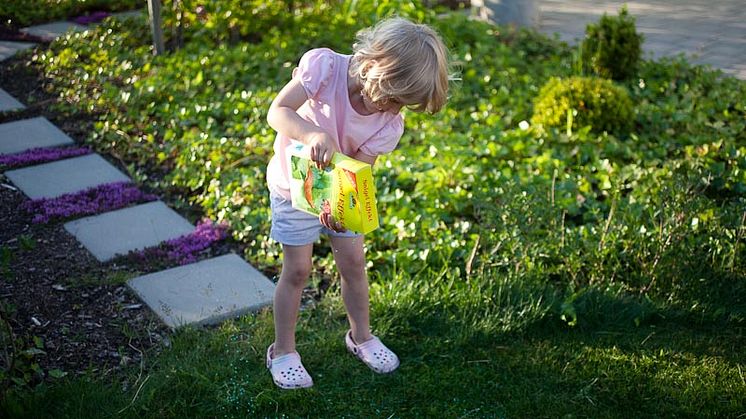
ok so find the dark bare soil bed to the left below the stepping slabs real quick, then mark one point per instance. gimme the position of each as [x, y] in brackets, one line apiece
[66, 304]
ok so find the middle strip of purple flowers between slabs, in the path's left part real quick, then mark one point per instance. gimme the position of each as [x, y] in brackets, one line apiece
[102, 198]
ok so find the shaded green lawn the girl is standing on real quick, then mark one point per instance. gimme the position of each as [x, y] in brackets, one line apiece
[453, 366]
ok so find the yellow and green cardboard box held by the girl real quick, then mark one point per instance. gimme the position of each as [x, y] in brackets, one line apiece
[345, 188]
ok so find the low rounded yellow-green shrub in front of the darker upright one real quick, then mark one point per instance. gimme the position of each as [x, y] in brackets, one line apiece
[583, 101]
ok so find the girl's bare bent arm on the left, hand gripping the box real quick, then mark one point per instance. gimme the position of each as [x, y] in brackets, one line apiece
[283, 118]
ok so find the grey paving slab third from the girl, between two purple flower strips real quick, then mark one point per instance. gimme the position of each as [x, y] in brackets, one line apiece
[57, 178]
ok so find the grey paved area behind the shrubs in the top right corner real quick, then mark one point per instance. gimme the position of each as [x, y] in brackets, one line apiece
[712, 32]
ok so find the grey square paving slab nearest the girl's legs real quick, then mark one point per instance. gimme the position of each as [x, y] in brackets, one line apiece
[206, 292]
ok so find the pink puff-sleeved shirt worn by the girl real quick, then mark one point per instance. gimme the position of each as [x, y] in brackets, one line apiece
[323, 74]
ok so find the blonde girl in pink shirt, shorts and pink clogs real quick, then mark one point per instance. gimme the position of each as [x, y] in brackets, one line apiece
[348, 104]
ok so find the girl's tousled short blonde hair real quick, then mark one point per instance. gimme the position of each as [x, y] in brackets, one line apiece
[402, 61]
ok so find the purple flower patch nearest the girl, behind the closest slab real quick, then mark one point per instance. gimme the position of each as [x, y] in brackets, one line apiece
[185, 249]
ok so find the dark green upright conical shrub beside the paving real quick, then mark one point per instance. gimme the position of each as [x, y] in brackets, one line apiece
[612, 47]
